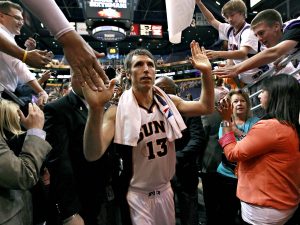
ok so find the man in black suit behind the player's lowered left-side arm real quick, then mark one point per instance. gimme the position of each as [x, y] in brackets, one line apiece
[80, 191]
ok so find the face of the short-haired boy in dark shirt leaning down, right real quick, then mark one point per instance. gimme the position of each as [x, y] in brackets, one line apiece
[267, 35]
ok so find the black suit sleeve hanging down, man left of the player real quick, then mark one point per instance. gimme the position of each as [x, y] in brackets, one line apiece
[63, 184]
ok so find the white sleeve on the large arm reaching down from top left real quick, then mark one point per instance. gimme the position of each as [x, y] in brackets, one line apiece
[50, 15]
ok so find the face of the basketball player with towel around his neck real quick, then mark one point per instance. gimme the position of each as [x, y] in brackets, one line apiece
[142, 72]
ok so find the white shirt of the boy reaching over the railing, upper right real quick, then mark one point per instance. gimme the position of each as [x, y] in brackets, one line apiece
[244, 38]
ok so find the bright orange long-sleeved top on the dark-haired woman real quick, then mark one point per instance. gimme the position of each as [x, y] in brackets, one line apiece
[269, 165]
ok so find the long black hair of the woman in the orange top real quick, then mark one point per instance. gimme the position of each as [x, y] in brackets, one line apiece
[283, 99]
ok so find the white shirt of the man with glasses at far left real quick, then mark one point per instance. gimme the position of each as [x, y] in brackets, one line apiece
[12, 70]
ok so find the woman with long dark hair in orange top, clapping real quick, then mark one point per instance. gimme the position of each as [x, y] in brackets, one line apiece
[268, 157]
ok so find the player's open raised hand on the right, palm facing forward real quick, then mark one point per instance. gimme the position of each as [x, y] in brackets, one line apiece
[199, 59]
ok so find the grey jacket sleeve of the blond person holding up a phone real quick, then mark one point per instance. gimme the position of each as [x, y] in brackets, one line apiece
[22, 172]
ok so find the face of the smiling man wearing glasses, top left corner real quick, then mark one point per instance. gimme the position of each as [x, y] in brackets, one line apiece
[13, 21]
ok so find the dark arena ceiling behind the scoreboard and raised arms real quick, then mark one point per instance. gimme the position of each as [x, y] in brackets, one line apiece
[147, 12]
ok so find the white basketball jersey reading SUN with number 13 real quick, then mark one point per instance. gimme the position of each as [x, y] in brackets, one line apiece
[154, 157]
